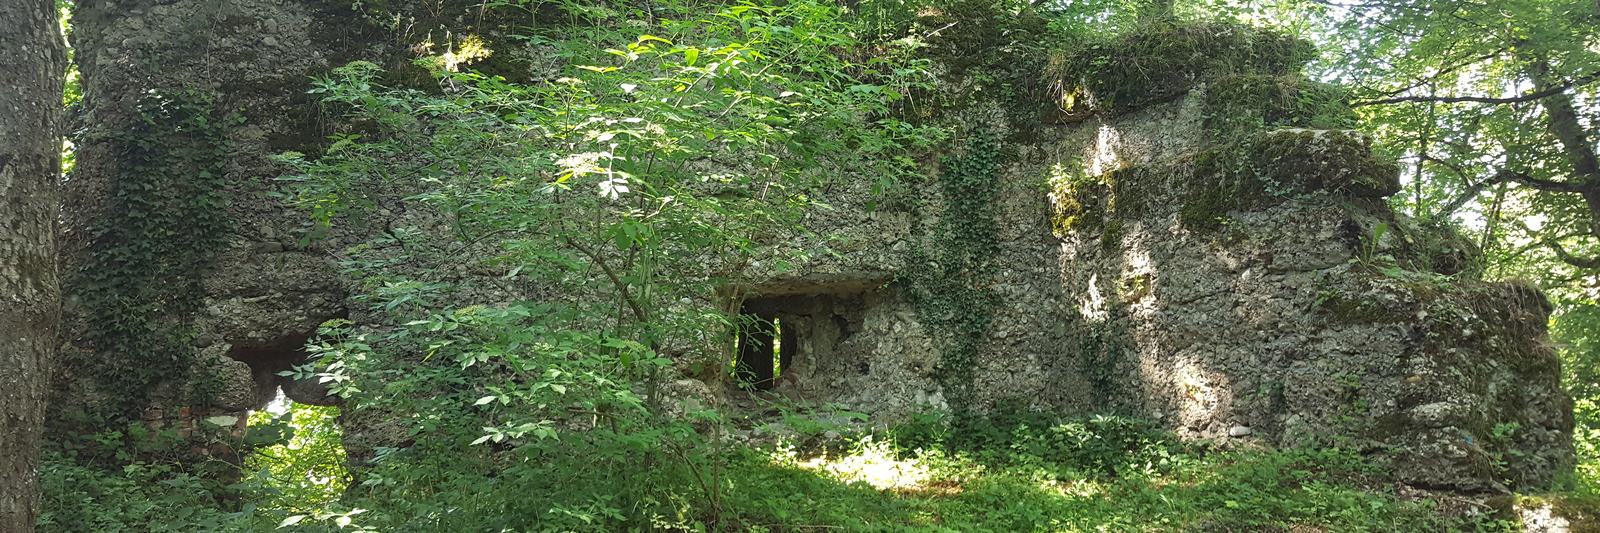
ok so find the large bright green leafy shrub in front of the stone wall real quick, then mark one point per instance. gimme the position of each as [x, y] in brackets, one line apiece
[620, 206]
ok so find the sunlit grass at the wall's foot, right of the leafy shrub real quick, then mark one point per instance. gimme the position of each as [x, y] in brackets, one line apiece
[1018, 486]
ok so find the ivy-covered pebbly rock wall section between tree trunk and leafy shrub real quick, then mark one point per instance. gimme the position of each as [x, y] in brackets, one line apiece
[188, 281]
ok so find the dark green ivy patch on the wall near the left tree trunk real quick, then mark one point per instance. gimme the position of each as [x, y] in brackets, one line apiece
[143, 271]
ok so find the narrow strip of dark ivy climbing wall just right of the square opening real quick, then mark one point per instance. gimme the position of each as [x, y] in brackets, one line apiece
[950, 284]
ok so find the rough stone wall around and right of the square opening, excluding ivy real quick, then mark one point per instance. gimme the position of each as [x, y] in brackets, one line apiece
[1274, 321]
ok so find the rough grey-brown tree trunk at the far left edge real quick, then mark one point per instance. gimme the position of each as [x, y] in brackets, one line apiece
[33, 58]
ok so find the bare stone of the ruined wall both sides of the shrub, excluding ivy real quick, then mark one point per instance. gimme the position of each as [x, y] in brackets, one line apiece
[1230, 287]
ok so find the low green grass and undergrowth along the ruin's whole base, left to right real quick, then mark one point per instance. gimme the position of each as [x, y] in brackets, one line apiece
[1010, 471]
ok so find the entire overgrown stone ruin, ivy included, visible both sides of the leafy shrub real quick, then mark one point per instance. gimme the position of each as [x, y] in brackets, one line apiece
[1209, 249]
